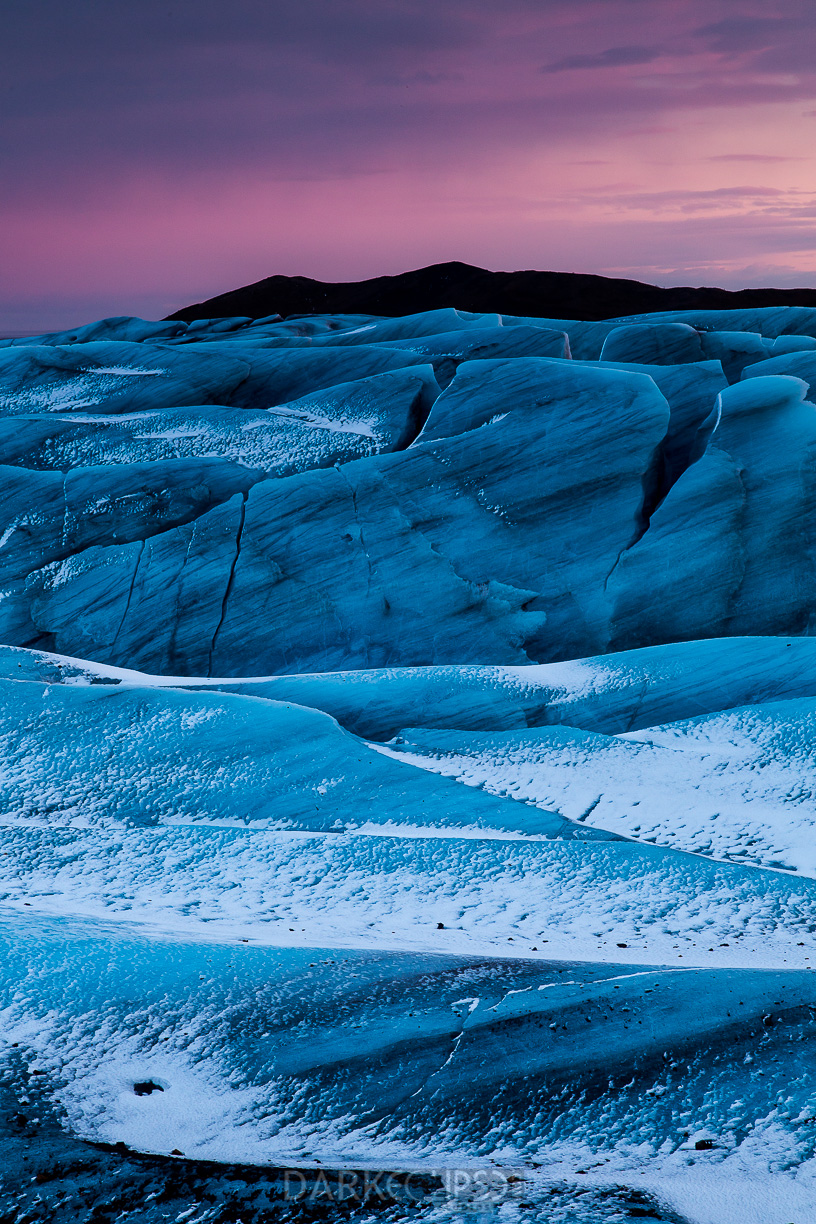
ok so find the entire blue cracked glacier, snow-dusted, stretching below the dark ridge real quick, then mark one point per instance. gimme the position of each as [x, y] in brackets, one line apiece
[409, 769]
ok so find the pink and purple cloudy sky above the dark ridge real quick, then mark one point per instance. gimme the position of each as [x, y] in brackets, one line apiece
[161, 154]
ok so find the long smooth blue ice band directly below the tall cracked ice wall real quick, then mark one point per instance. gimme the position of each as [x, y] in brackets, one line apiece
[612, 693]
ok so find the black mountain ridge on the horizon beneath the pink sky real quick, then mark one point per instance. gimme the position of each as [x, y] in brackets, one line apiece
[541, 294]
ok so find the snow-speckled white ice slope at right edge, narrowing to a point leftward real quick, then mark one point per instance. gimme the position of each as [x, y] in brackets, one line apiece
[740, 785]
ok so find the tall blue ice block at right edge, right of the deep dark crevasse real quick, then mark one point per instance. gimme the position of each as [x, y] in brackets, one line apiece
[732, 543]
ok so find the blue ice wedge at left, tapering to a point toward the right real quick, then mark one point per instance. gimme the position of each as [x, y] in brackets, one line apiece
[92, 756]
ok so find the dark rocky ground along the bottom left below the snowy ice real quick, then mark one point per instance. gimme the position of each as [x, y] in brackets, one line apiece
[47, 1177]
